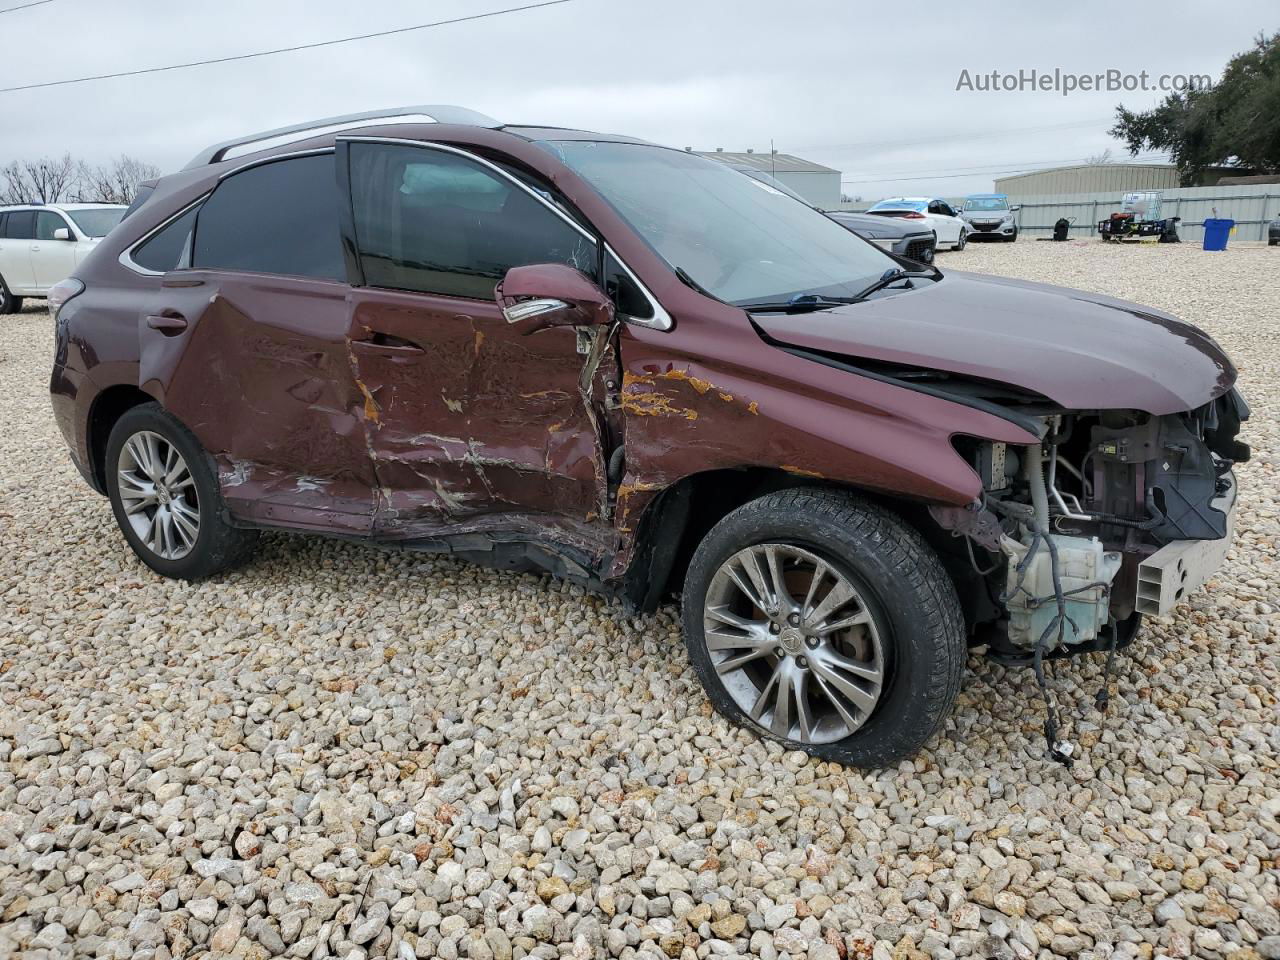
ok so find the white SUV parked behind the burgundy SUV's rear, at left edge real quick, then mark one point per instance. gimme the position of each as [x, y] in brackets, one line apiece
[42, 244]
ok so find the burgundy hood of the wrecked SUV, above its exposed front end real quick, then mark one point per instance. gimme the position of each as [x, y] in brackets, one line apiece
[1082, 351]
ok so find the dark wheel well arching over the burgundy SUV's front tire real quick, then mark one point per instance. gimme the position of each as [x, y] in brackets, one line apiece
[684, 514]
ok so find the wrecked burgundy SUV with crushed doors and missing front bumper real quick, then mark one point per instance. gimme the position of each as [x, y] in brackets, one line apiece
[633, 367]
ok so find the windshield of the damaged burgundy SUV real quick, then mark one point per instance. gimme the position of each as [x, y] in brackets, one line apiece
[738, 239]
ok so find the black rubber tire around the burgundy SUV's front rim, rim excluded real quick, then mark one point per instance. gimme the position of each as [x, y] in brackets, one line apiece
[906, 588]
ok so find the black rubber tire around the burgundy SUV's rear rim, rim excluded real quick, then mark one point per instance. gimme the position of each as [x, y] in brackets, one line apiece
[218, 546]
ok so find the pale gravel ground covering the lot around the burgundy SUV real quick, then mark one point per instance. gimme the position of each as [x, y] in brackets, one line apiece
[353, 753]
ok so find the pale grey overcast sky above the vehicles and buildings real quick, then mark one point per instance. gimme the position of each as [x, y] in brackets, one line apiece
[868, 89]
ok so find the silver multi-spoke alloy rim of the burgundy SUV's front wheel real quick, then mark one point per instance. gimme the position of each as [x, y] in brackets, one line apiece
[794, 643]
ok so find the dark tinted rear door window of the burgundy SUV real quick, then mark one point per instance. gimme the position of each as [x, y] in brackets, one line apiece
[278, 218]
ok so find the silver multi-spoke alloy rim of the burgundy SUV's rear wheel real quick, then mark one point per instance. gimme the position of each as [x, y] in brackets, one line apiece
[158, 495]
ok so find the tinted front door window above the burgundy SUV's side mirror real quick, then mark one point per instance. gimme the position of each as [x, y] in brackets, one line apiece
[438, 223]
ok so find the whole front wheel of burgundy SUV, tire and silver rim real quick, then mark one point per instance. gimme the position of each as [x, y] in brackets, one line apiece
[825, 623]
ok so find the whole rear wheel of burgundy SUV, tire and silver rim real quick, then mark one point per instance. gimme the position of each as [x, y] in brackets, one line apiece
[164, 493]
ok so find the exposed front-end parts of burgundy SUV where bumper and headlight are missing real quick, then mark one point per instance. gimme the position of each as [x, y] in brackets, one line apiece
[1113, 515]
